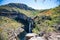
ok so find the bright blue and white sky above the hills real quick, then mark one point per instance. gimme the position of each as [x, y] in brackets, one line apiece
[40, 4]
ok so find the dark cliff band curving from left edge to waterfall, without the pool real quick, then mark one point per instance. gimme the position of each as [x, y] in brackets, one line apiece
[20, 17]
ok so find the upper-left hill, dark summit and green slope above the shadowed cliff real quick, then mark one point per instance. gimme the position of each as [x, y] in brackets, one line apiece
[18, 7]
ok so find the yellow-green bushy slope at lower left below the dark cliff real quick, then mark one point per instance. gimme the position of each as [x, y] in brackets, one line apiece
[8, 27]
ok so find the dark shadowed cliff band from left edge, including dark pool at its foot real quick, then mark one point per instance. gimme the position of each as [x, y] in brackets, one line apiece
[22, 18]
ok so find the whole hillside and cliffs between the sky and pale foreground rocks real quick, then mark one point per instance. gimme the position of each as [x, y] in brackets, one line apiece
[14, 16]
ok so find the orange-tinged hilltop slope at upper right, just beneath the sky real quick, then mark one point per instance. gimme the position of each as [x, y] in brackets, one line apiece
[51, 11]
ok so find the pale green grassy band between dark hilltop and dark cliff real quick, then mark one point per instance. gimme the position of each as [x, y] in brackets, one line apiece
[28, 13]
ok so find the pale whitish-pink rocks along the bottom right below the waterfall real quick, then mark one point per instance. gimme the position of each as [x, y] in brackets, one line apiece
[47, 36]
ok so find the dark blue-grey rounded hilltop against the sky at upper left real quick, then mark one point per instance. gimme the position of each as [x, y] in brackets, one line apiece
[19, 5]
